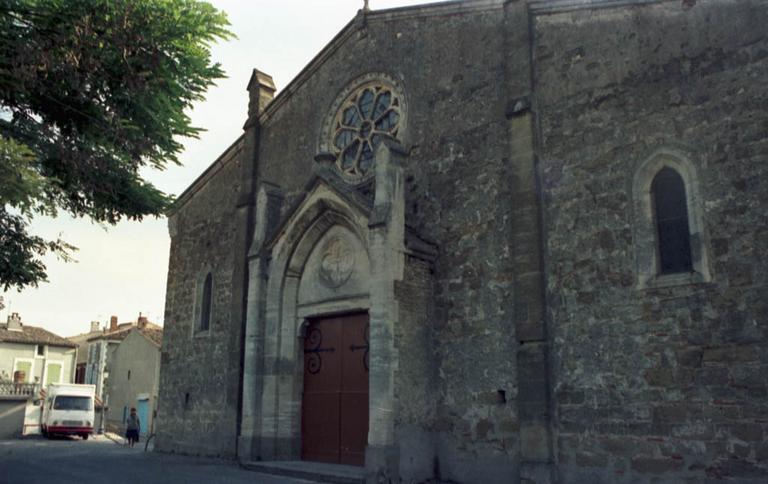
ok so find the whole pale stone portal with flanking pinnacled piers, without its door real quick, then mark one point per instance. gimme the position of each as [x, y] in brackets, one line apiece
[336, 253]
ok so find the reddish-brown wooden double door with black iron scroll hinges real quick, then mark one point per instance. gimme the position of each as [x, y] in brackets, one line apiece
[334, 416]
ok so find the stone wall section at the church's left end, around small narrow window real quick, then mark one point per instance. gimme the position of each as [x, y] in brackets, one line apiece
[200, 371]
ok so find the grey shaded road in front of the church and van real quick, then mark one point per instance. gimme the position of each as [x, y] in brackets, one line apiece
[71, 460]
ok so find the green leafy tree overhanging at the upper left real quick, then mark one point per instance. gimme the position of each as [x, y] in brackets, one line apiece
[90, 92]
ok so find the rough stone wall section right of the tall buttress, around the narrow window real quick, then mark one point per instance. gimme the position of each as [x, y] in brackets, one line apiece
[662, 384]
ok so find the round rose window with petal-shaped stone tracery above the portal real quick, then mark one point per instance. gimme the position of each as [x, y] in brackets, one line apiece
[371, 114]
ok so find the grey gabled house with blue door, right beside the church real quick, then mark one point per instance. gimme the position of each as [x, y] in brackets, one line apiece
[134, 375]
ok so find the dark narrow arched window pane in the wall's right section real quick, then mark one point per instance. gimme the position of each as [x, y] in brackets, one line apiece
[671, 216]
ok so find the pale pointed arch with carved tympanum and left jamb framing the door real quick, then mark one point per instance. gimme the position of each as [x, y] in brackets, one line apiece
[319, 268]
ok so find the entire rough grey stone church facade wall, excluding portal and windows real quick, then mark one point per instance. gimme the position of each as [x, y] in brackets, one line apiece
[651, 382]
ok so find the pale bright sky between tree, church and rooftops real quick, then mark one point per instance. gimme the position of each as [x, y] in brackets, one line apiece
[121, 270]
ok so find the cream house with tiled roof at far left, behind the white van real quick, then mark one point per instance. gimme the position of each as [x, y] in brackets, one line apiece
[30, 359]
